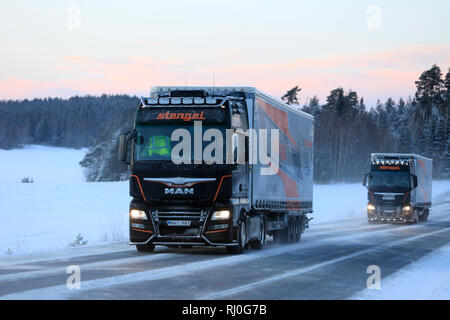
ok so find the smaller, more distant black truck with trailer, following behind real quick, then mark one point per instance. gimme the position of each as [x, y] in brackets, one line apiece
[399, 188]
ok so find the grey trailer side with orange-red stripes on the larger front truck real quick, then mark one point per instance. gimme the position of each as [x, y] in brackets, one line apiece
[292, 184]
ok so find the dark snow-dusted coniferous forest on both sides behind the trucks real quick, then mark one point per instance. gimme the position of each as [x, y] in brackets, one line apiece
[346, 129]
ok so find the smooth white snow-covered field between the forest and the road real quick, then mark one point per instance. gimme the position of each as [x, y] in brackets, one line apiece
[49, 213]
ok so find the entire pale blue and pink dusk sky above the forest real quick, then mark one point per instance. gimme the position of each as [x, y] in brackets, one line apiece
[128, 46]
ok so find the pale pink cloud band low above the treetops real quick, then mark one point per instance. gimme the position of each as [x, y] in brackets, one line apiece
[374, 74]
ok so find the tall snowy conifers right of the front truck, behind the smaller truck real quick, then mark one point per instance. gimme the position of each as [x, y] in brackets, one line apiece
[347, 132]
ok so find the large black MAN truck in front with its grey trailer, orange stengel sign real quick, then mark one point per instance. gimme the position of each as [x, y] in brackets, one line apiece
[217, 166]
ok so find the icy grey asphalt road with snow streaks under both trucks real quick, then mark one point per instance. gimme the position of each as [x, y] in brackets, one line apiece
[329, 263]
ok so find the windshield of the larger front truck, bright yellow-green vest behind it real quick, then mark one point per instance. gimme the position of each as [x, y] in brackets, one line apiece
[153, 141]
